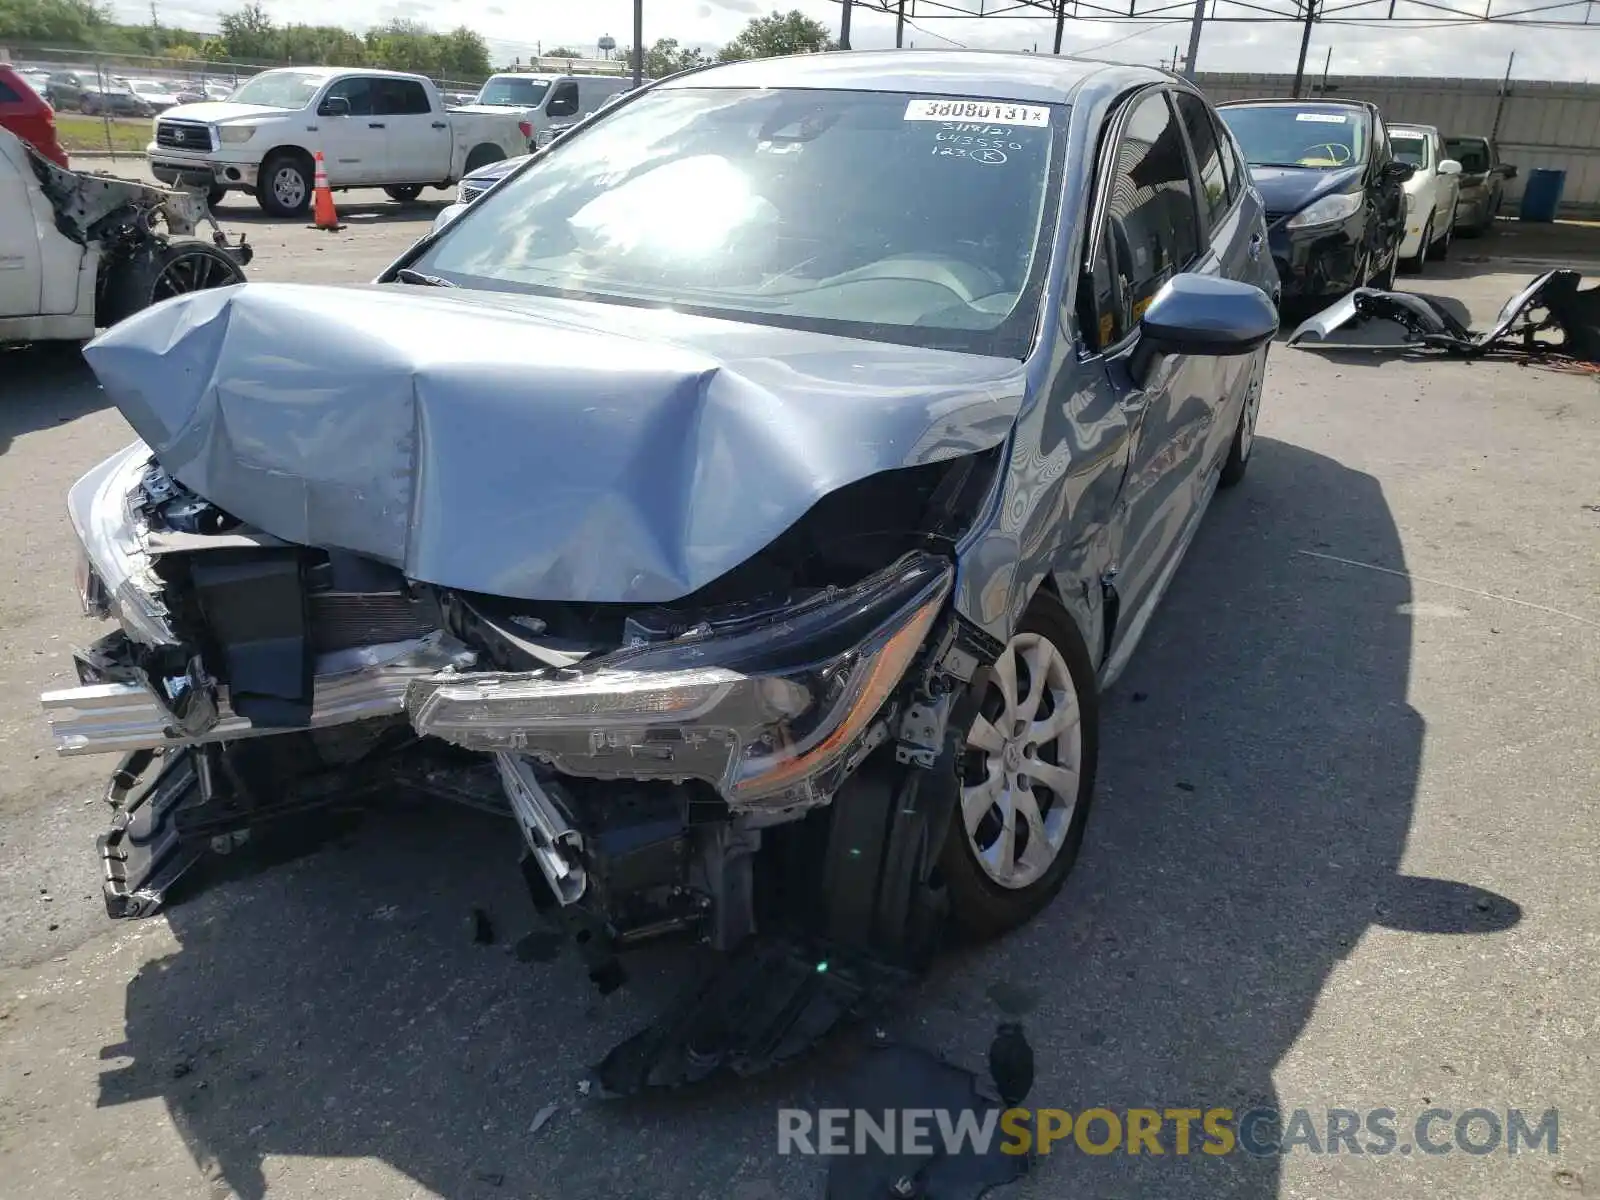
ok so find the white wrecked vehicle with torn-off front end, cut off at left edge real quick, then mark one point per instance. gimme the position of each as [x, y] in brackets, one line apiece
[81, 252]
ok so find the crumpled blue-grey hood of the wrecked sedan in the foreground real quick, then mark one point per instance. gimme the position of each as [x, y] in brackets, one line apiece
[527, 447]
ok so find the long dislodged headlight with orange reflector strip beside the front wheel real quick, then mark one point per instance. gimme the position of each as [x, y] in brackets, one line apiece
[774, 713]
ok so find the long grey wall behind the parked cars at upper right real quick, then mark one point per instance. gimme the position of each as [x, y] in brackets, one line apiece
[1540, 124]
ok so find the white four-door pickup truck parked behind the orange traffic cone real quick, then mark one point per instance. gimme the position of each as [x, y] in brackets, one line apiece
[375, 129]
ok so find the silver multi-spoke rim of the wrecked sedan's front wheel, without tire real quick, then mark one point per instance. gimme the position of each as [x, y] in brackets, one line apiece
[1025, 756]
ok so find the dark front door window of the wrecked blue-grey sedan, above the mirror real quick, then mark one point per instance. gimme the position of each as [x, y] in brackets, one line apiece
[1151, 222]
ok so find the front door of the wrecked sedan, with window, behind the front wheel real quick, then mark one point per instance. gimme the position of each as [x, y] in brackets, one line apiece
[1153, 231]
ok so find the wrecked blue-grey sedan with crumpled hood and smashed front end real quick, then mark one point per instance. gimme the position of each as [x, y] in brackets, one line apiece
[750, 497]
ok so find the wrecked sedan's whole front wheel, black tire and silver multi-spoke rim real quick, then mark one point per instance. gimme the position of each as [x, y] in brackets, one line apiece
[1028, 777]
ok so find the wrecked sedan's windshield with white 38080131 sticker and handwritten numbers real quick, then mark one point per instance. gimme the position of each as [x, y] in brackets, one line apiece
[870, 215]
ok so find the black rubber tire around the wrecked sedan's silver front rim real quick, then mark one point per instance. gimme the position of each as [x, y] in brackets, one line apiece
[980, 906]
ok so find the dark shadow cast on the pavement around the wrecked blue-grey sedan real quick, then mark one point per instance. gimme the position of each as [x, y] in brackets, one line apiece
[1258, 770]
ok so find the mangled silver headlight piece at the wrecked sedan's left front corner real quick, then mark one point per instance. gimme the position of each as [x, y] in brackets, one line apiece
[114, 572]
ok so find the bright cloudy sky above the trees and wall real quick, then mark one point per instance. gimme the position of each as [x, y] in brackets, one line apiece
[519, 28]
